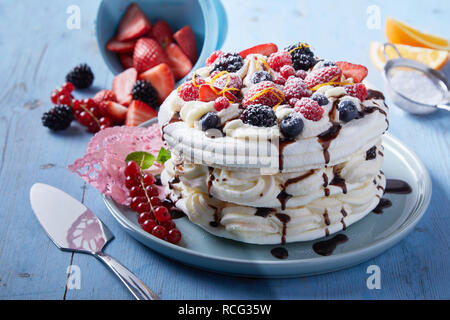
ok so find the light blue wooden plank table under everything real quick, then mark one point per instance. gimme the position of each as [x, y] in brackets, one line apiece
[37, 50]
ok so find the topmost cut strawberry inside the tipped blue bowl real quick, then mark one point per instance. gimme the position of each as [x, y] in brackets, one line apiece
[133, 24]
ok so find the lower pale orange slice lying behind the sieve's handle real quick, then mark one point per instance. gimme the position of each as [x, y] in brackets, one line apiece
[435, 59]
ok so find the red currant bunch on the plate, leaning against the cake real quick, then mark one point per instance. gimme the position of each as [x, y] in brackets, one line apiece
[153, 217]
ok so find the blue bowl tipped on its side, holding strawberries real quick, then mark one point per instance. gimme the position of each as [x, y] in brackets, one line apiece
[206, 17]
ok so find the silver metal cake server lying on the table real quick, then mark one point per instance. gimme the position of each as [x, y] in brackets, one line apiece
[73, 227]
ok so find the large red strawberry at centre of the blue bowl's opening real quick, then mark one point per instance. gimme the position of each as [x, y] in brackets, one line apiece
[147, 54]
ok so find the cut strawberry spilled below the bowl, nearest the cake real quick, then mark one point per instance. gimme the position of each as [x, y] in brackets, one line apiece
[161, 78]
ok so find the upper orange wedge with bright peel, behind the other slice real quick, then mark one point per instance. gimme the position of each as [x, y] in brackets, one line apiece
[400, 33]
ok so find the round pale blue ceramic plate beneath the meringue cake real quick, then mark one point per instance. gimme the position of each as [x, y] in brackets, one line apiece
[367, 238]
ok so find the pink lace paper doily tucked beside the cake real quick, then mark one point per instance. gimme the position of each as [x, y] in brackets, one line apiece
[104, 162]
